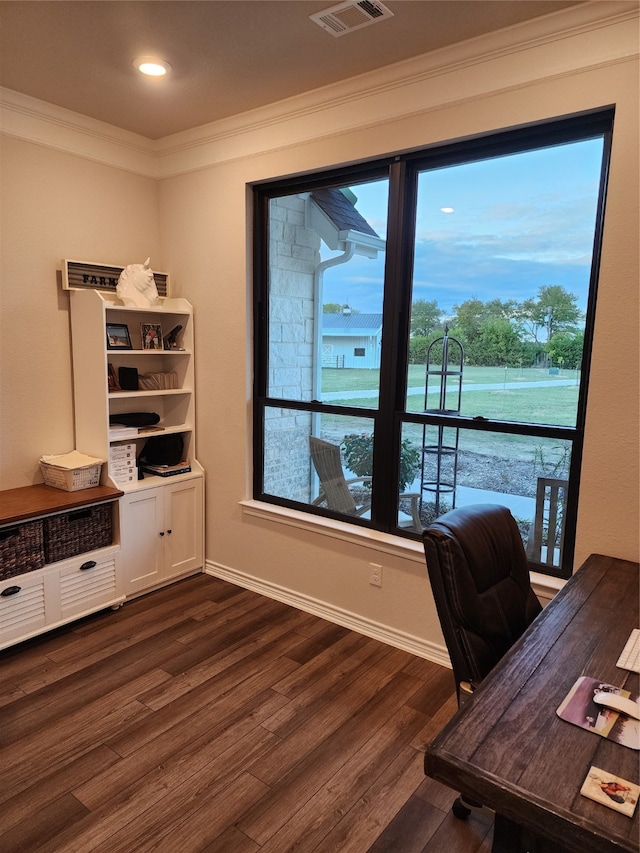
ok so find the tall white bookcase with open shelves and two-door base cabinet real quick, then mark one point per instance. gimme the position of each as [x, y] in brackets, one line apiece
[161, 518]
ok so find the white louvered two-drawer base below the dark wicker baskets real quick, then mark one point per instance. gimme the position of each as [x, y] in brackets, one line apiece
[46, 598]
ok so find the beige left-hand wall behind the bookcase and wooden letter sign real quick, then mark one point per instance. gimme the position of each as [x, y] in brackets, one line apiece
[54, 206]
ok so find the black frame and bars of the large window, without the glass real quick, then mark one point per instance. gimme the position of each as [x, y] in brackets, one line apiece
[402, 171]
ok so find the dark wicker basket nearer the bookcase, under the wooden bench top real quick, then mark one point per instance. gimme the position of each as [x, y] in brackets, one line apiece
[71, 533]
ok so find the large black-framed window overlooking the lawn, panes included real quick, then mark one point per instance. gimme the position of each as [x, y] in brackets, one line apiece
[426, 320]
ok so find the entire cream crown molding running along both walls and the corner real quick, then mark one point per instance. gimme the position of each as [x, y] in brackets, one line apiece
[561, 44]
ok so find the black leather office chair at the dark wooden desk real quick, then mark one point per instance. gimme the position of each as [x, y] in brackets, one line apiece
[479, 575]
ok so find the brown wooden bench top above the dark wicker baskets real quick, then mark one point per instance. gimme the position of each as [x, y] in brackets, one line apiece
[34, 501]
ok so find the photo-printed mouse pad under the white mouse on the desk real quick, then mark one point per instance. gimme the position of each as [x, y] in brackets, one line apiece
[579, 708]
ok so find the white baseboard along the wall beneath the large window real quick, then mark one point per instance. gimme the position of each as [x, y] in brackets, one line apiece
[385, 634]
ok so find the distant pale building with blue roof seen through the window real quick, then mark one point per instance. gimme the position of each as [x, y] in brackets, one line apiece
[351, 340]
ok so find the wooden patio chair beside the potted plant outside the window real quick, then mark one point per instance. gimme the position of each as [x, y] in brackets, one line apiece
[335, 489]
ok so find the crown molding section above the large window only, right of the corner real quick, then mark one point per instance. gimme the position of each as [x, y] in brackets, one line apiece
[561, 44]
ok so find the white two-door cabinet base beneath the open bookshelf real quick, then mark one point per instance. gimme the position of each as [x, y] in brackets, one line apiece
[162, 533]
